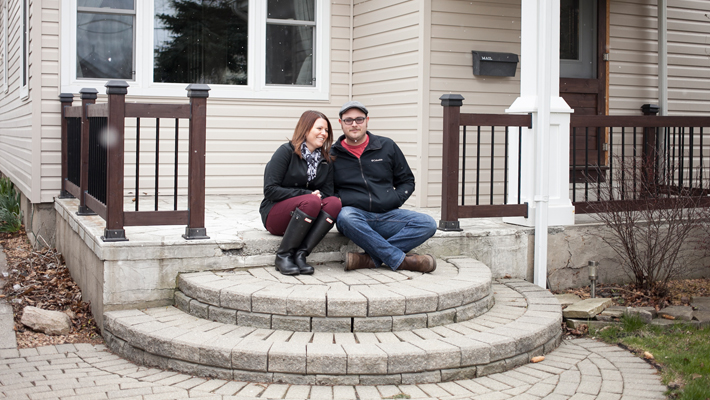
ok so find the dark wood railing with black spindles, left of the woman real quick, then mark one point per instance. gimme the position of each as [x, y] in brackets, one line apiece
[101, 155]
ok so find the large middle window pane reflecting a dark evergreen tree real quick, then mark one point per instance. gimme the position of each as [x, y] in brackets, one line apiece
[199, 41]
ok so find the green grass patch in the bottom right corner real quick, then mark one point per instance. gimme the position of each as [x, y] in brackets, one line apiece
[683, 351]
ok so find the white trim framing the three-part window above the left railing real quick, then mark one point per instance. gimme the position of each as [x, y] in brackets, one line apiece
[255, 87]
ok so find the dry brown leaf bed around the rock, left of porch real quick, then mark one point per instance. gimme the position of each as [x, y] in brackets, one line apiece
[40, 278]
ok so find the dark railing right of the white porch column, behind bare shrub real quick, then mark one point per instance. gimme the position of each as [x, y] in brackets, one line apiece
[639, 156]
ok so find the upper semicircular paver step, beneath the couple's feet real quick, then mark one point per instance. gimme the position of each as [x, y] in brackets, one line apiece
[333, 300]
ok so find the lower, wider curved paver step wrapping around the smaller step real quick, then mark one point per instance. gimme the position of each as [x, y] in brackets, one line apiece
[525, 322]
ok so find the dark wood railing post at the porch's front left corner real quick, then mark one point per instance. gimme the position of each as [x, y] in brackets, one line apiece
[116, 91]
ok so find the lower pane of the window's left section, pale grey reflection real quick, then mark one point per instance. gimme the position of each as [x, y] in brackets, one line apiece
[104, 46]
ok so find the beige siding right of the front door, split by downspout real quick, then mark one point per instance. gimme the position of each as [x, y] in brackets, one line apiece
[633, 77]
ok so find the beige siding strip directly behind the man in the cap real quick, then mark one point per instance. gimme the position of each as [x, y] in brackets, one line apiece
[386, 76]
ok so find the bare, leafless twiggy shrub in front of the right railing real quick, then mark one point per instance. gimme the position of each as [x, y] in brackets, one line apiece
[651, 220]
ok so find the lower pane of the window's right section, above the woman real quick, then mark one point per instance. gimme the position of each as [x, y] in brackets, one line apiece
[289, 55]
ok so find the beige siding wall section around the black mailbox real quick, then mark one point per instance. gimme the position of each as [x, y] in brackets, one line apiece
[457, 28]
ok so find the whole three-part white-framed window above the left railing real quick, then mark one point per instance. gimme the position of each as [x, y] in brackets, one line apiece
[241, 48]
